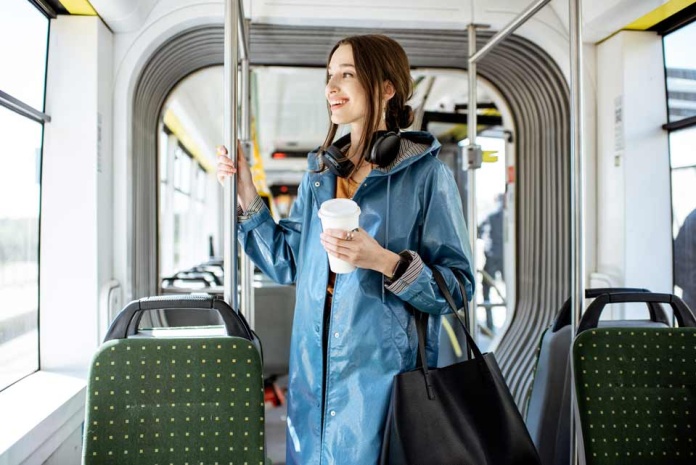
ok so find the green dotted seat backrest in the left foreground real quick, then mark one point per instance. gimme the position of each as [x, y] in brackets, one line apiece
[176, 399]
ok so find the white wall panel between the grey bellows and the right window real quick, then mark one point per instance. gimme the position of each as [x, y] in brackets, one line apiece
[634, 240]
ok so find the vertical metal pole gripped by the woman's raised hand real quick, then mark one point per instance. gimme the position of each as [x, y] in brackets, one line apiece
[231, 65]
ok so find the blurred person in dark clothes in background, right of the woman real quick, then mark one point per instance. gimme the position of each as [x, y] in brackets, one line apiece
[491, 230]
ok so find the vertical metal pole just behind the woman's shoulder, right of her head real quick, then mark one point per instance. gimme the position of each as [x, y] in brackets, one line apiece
[472, 150]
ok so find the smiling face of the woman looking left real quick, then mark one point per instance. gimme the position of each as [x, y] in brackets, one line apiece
[344, 92]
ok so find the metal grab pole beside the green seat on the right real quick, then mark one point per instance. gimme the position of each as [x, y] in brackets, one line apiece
[577, 195]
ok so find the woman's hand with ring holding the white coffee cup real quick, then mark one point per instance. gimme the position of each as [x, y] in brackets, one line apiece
[359, 249]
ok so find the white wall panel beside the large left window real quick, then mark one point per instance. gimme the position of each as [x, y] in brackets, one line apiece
[76, 191]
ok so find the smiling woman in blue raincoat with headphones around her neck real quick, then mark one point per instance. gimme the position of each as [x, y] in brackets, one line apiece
[353, 332]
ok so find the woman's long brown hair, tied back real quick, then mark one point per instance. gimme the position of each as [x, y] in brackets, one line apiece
[378, 58]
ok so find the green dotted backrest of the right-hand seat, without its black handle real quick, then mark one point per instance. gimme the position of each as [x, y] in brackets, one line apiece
[636, 395]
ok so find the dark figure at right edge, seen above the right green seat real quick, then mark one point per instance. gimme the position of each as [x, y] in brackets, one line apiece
[685, 260]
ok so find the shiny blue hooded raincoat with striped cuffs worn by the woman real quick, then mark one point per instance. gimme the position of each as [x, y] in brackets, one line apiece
[413, 204]
